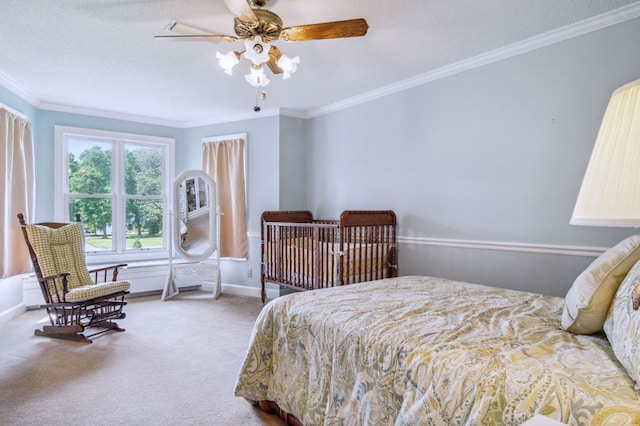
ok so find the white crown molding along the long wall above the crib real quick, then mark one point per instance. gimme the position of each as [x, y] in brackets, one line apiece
[595, 23]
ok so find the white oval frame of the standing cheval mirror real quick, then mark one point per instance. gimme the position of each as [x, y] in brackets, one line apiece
[211, 196]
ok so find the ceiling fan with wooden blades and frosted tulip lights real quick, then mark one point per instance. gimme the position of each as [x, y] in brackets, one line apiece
[259, 27]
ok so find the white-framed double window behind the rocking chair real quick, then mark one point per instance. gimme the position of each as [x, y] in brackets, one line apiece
[119, 184]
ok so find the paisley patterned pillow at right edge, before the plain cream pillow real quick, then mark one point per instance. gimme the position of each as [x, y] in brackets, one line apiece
[622, 325]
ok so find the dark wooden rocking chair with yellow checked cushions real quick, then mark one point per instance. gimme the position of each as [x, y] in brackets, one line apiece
[75, 298]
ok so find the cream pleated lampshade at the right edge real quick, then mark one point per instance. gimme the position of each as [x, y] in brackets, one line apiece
[610, 191]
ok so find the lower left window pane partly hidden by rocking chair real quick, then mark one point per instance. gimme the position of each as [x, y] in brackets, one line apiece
[96, 217]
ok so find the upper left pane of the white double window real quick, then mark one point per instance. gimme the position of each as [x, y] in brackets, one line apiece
[89, 166]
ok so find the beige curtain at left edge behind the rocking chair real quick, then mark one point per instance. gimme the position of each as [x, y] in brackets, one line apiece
[17, 191]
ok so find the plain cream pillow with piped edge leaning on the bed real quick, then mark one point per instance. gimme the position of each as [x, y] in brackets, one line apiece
[589, 298]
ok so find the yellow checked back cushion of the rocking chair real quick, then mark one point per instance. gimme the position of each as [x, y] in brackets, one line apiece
[61, 250]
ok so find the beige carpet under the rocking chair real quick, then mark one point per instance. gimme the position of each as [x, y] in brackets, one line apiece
[175, 365]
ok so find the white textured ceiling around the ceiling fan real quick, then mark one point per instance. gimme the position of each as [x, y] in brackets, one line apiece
[101, 55]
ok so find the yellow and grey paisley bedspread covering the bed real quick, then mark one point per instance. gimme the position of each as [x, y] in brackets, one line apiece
[430, 351]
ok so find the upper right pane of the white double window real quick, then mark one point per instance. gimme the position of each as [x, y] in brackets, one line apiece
[143, 170]
